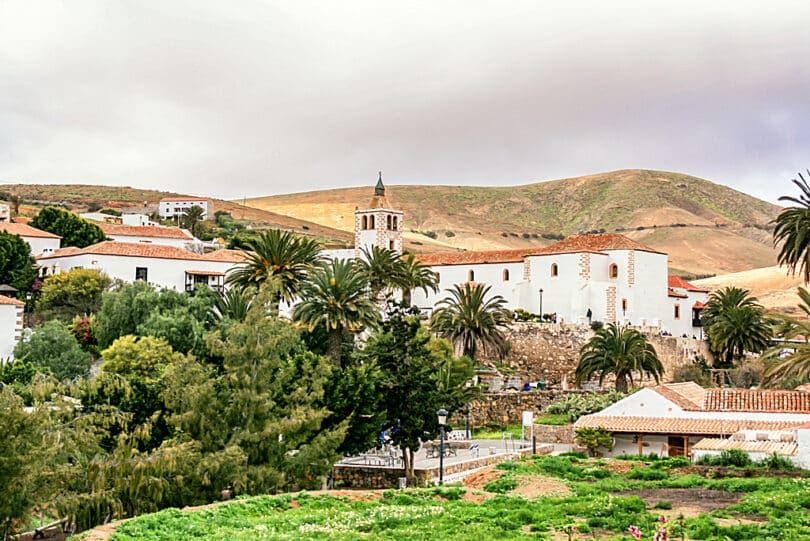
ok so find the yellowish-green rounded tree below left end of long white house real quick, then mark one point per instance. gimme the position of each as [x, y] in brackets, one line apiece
[73, 293]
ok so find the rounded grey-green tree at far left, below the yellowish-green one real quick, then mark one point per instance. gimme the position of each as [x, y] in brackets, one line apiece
[54, 348]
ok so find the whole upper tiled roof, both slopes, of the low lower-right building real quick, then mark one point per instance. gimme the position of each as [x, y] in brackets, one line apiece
[692, 397]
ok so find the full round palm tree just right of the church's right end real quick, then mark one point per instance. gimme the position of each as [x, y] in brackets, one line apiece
[734, 322]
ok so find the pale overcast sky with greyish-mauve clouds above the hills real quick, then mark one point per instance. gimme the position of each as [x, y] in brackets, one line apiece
[253, 98]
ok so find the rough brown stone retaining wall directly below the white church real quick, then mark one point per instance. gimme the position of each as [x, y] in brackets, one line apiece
[550, 352]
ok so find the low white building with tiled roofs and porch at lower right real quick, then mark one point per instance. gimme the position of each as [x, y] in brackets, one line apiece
[670, 419]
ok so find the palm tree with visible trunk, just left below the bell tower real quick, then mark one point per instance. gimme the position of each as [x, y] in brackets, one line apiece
[335, 296]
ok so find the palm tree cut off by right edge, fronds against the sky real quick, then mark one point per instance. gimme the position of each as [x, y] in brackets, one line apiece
[793, 231]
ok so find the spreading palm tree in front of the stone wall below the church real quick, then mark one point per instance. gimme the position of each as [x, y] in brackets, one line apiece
[620, 351]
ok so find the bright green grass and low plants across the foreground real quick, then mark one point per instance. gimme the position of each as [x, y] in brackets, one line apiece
[441, 513]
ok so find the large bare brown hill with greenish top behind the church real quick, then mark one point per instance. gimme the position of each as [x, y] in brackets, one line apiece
[705, 228]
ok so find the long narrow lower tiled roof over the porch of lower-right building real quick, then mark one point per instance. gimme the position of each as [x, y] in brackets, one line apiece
[678, 425]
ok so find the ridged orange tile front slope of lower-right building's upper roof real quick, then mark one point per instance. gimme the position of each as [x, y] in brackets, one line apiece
[757, 400]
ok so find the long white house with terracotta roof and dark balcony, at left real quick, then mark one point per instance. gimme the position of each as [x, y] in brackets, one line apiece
[160, 265]
